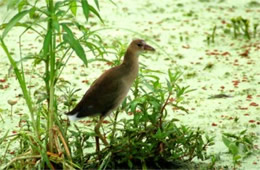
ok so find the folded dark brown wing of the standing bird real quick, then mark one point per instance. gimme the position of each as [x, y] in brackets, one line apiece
[101, 96]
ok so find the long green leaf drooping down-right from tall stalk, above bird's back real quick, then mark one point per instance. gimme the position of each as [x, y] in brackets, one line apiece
[75, 45]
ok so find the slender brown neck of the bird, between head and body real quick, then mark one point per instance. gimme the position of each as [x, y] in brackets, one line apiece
[131, 59]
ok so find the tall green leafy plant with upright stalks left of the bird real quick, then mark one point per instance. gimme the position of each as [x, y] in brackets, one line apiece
[54, 55]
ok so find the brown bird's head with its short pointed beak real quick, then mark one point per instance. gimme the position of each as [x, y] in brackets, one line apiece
[138, 46]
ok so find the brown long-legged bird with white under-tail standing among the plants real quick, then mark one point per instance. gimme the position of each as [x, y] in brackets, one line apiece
[110, 89]
